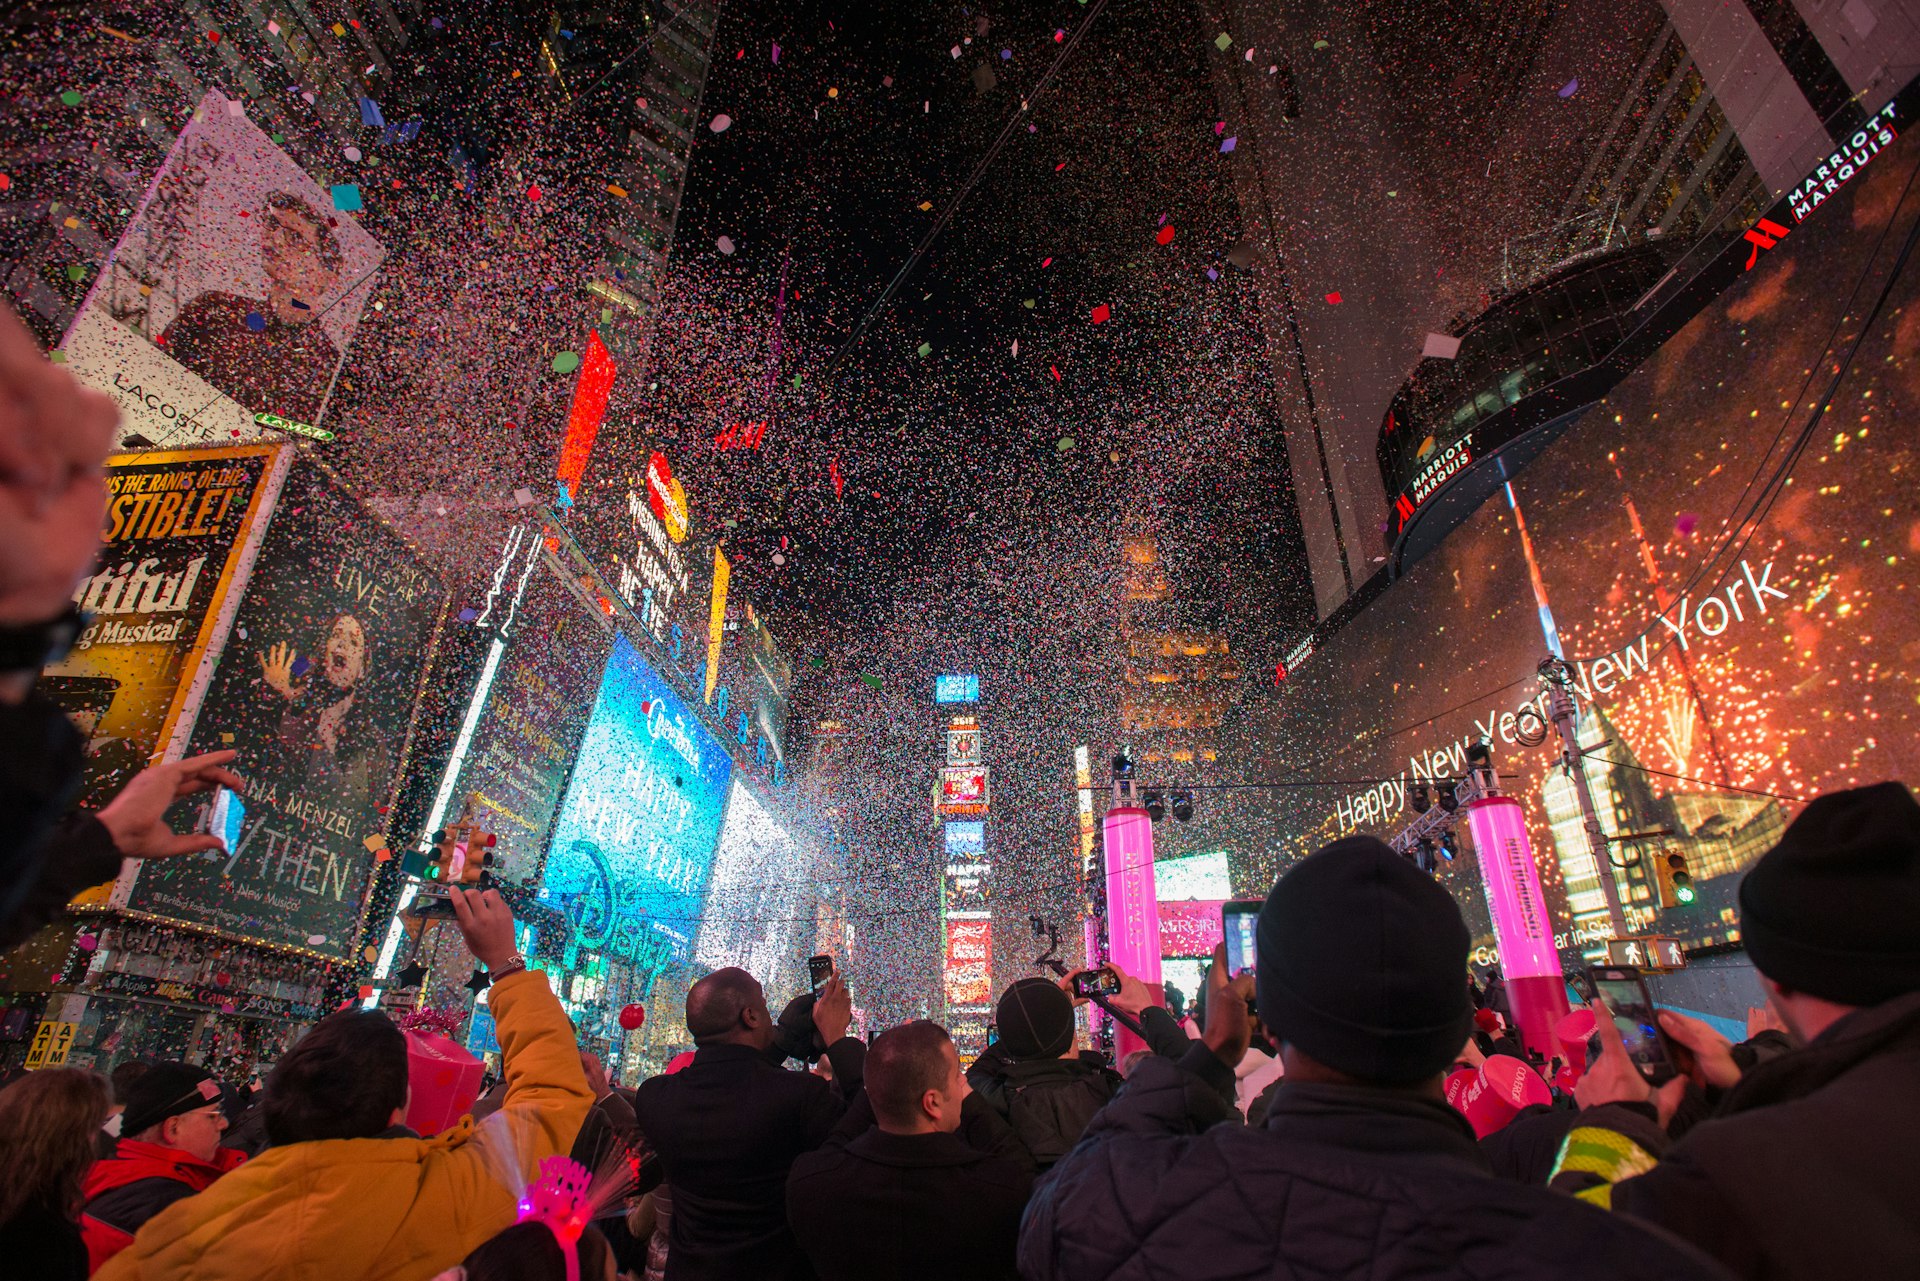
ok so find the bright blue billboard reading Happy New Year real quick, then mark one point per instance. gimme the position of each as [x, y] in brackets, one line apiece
[636, 834]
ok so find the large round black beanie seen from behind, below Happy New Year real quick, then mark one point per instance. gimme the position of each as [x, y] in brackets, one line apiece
[1364, 965]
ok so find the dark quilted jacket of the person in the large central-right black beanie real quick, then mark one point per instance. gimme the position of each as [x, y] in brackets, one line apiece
[1343, 1182]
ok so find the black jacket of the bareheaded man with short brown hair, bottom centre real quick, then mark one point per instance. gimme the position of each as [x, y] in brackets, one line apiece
[876, 1207]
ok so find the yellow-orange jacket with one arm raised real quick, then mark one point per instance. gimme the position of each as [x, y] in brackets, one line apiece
[383, 1209]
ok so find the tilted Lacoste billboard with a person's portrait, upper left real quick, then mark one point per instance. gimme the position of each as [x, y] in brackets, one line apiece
[237, 274]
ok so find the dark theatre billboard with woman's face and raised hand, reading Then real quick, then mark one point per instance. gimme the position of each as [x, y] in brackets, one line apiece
[316, 689]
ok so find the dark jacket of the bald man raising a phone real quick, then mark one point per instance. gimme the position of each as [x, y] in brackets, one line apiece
[729, 1128]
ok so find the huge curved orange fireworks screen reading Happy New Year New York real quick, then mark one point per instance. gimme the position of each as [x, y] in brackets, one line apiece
[1731, 658]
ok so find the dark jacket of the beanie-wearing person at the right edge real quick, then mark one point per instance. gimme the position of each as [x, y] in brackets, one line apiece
[1808, 1169]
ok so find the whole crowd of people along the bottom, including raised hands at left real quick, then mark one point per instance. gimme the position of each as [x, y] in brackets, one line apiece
[1297, 1124]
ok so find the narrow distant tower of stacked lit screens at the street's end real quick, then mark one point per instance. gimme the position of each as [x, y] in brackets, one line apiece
[967, 917]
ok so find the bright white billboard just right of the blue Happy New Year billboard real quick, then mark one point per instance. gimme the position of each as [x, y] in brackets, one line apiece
[757, 911]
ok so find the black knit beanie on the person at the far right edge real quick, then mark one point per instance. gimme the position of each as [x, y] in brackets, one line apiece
[1835, 907]
